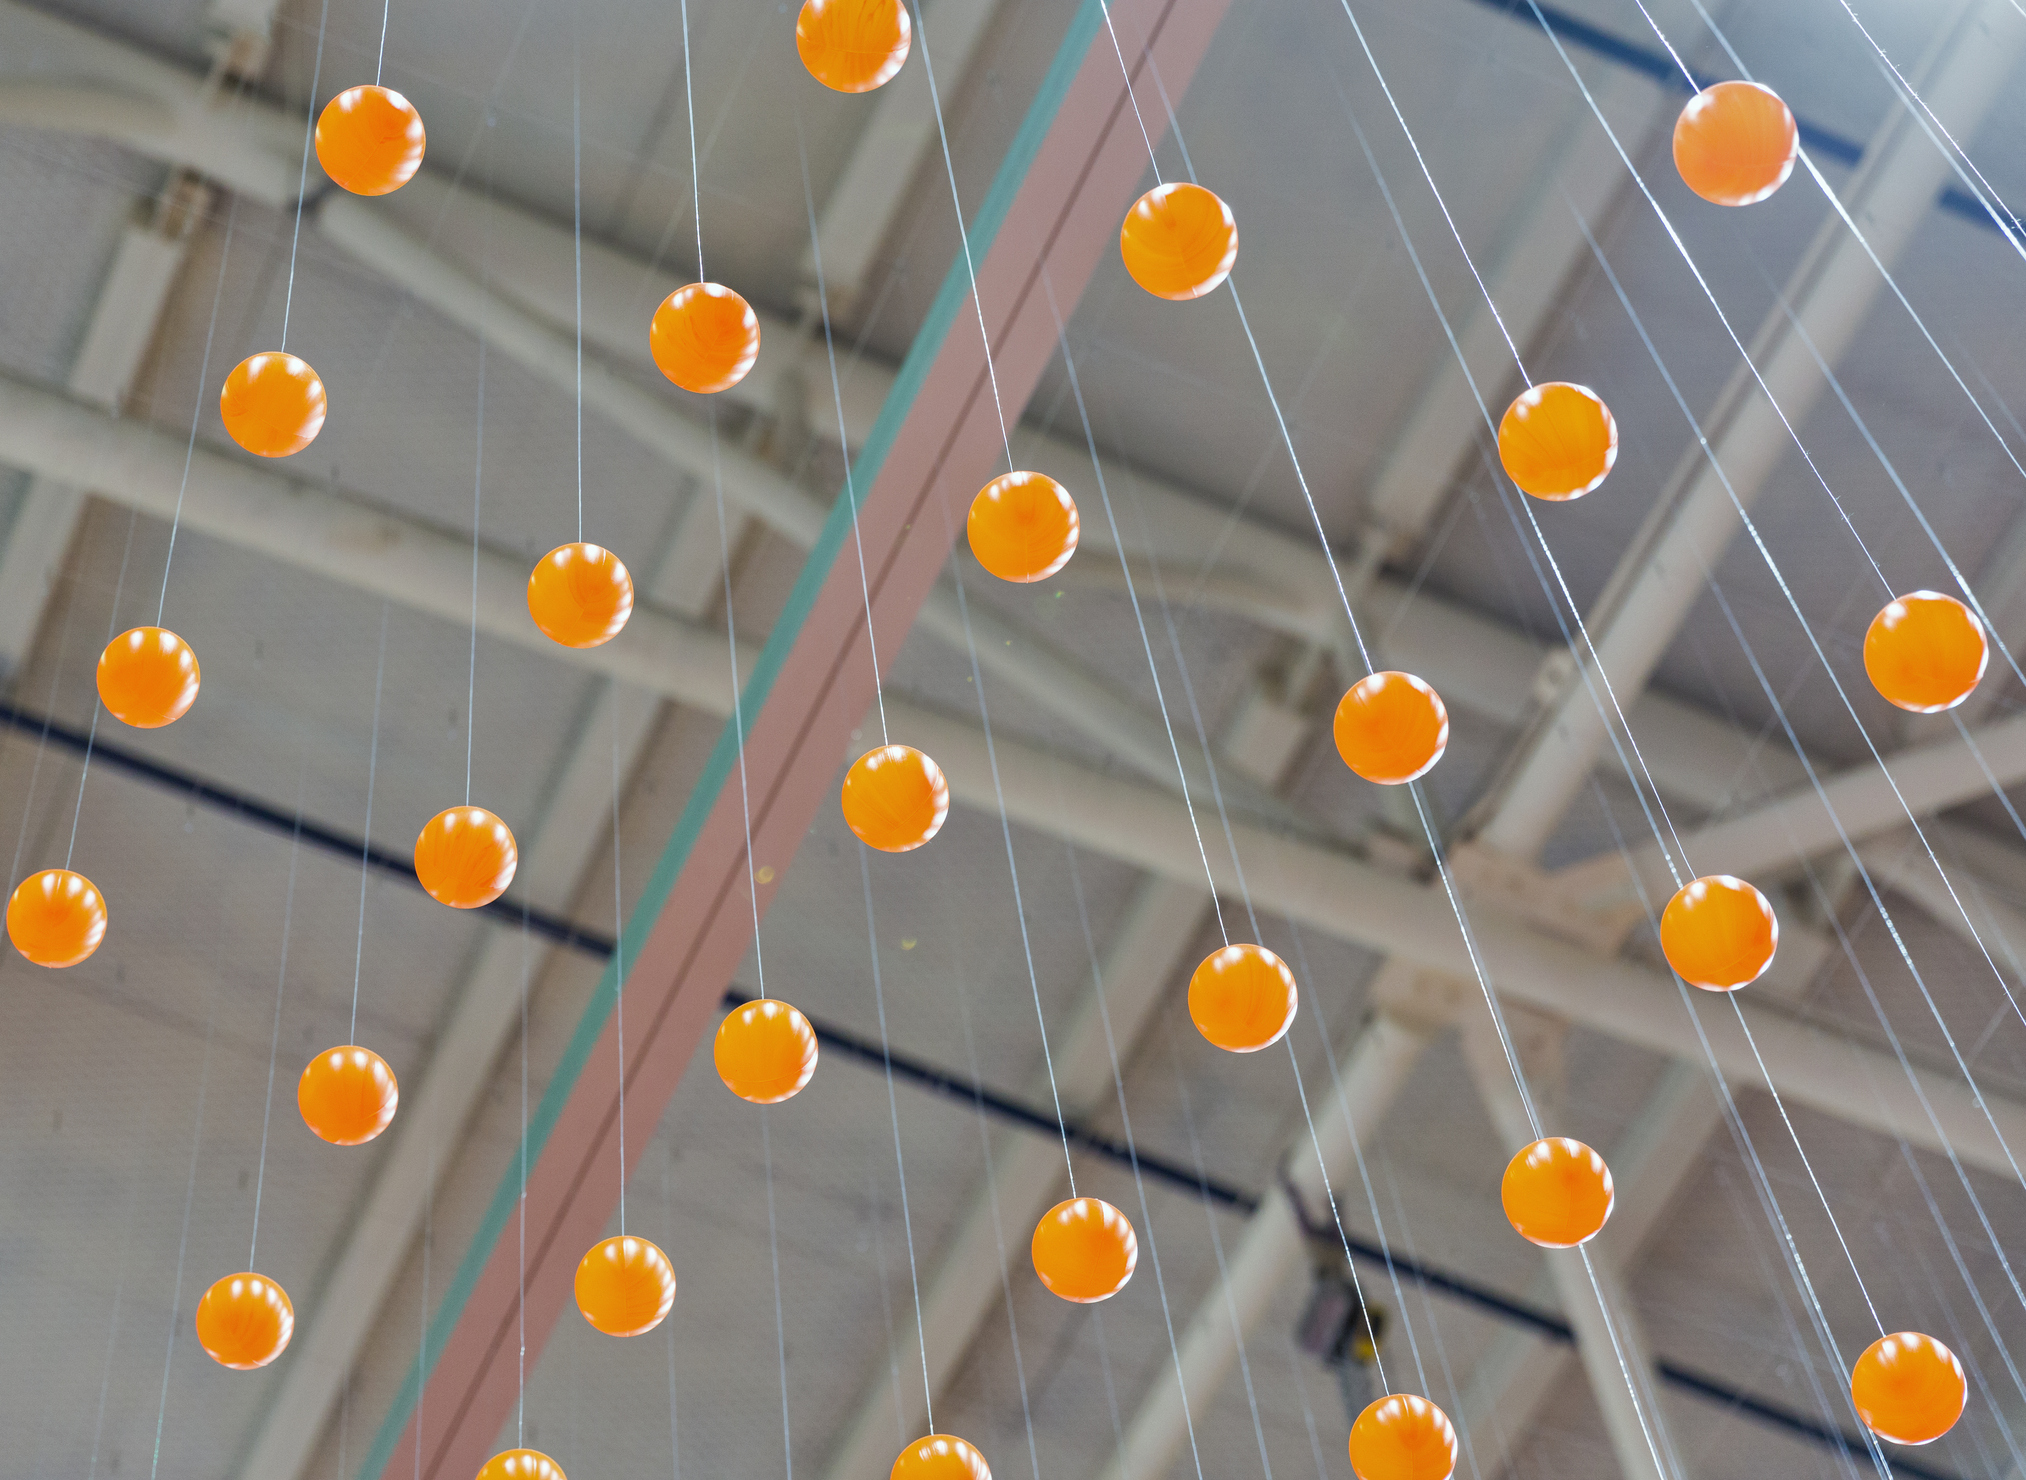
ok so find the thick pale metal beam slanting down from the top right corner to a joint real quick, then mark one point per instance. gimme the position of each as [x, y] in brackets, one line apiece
[1695, 519]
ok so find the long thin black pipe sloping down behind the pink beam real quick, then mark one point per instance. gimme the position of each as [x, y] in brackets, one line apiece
[933, 1080]
